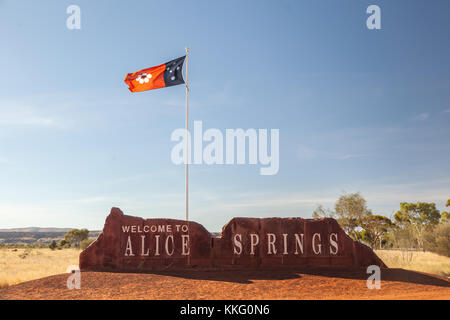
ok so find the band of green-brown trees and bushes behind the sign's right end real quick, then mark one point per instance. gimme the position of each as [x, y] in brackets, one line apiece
[419, 225]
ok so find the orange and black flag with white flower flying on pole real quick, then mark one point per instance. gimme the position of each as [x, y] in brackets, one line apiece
[165, 75]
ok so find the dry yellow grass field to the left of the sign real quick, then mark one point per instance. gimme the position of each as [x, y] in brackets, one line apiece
[19, 265]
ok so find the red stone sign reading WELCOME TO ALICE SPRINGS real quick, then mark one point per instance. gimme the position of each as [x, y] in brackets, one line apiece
[134, 244]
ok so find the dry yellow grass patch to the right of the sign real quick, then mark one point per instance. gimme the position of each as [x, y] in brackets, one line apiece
[416, 260]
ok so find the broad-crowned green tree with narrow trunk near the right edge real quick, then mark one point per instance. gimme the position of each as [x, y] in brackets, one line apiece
[421, 216]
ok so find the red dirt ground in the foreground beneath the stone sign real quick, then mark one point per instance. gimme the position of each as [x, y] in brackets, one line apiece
[291, 283]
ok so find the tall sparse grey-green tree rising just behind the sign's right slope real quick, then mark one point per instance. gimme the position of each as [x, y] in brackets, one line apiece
[350, 209]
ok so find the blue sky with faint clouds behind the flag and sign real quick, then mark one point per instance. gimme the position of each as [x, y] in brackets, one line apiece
[357, 109]
